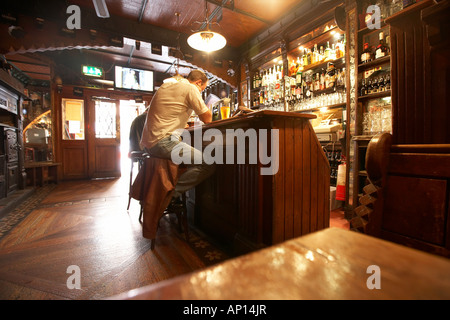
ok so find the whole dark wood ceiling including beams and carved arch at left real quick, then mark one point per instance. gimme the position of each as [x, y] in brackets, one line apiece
[159, 22]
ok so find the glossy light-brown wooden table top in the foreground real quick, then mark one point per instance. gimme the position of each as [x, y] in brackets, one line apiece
[328, 264]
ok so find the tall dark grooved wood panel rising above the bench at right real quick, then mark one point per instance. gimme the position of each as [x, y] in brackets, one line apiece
[419, 81]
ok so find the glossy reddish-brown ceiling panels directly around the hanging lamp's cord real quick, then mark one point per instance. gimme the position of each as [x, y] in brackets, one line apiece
[241, 19]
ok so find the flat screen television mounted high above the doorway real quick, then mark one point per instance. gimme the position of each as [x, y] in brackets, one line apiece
[133, 79]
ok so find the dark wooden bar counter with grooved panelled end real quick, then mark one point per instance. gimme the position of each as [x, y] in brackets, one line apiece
[246, 210]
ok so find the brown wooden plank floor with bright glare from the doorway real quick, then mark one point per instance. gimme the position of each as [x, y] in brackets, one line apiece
[86, 224]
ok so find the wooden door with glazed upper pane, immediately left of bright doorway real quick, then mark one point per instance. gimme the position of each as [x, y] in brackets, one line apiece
[104, 139]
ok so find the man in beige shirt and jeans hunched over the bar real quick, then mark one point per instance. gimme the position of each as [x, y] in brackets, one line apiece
[169, 111]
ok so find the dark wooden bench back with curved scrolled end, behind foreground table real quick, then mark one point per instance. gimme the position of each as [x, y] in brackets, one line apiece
[413, 195]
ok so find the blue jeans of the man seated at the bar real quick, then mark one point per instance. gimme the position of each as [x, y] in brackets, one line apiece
[194, 174]
